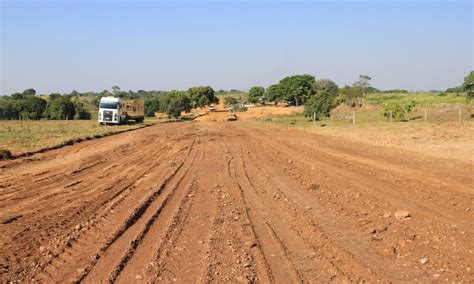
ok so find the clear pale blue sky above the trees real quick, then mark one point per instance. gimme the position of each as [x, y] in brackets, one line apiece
[60, 46]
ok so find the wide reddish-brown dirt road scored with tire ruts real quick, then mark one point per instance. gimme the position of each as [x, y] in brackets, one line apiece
[217, 201]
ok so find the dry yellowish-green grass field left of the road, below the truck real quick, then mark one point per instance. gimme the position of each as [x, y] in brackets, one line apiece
[30, 135]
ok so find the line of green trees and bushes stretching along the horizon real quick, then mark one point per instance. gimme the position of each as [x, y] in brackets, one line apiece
[318, 96]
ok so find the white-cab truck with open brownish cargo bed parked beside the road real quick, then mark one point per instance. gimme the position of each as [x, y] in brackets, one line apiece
[113, 110]
